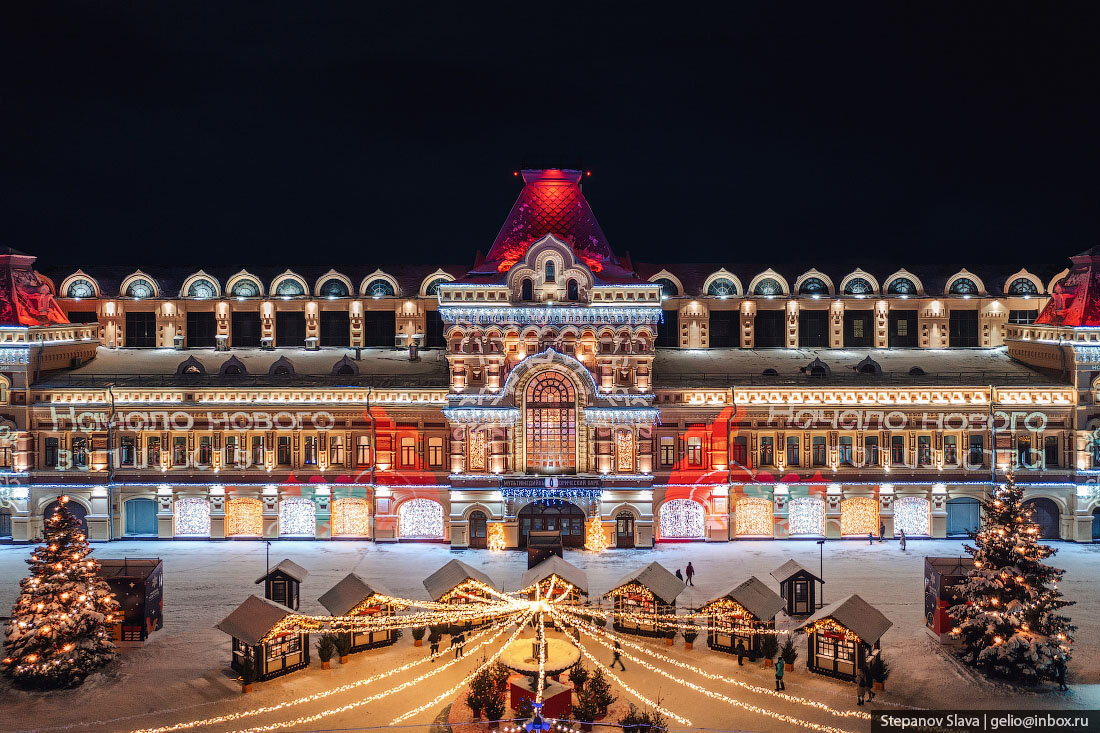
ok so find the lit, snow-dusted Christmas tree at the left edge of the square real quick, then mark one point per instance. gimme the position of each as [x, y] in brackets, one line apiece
[59, 631]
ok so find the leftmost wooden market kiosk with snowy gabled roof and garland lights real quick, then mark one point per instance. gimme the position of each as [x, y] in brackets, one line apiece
[250, 625]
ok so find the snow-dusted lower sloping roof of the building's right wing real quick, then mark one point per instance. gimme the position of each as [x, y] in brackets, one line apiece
[905, 367]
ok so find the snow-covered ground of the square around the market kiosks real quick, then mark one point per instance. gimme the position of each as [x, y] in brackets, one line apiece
[183, 673]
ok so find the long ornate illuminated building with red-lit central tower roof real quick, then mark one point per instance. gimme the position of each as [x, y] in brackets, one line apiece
[553, 385]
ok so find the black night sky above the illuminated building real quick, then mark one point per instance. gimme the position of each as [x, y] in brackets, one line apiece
[207, 133]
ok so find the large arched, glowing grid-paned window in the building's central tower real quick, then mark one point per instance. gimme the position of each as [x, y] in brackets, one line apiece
[552, 424]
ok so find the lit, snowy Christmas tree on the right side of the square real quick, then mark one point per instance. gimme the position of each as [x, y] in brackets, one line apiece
[1009, 623]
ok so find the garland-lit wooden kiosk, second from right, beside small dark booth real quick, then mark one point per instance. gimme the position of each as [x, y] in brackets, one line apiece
[740, 614]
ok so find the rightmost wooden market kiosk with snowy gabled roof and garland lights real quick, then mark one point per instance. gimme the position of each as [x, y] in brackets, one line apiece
[843, 636]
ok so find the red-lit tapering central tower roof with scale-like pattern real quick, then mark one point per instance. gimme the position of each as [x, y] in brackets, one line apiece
[552, 203]
